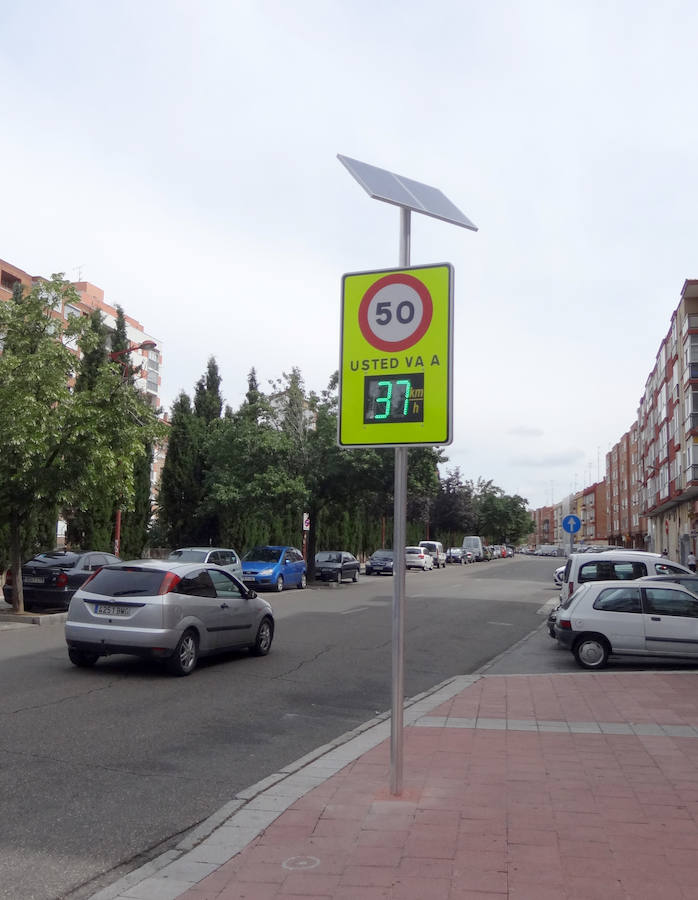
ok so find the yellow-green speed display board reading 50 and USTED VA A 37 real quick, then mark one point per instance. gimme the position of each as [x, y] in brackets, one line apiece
[396, 365]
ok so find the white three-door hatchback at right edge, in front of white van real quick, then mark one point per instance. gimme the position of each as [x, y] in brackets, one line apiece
[633, 618]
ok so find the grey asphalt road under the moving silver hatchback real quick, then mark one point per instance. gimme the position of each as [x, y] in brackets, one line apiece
[102, 769]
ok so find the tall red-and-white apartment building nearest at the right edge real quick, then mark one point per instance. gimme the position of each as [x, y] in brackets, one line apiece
[668, 434]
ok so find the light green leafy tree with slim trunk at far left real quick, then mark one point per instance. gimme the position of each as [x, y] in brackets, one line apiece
[59, 447]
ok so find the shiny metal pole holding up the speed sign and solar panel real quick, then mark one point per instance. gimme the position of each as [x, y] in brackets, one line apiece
[399, 542]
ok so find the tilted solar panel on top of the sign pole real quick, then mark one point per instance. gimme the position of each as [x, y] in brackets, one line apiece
[400, 191]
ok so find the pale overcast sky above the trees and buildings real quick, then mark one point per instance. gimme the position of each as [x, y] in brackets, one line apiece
[182, 156]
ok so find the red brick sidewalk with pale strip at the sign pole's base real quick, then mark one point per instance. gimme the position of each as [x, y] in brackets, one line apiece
[539, 787]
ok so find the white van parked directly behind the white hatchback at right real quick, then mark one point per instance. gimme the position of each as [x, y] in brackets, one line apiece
[614, 565]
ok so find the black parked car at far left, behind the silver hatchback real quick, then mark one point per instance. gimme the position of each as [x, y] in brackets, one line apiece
[50, 579]
